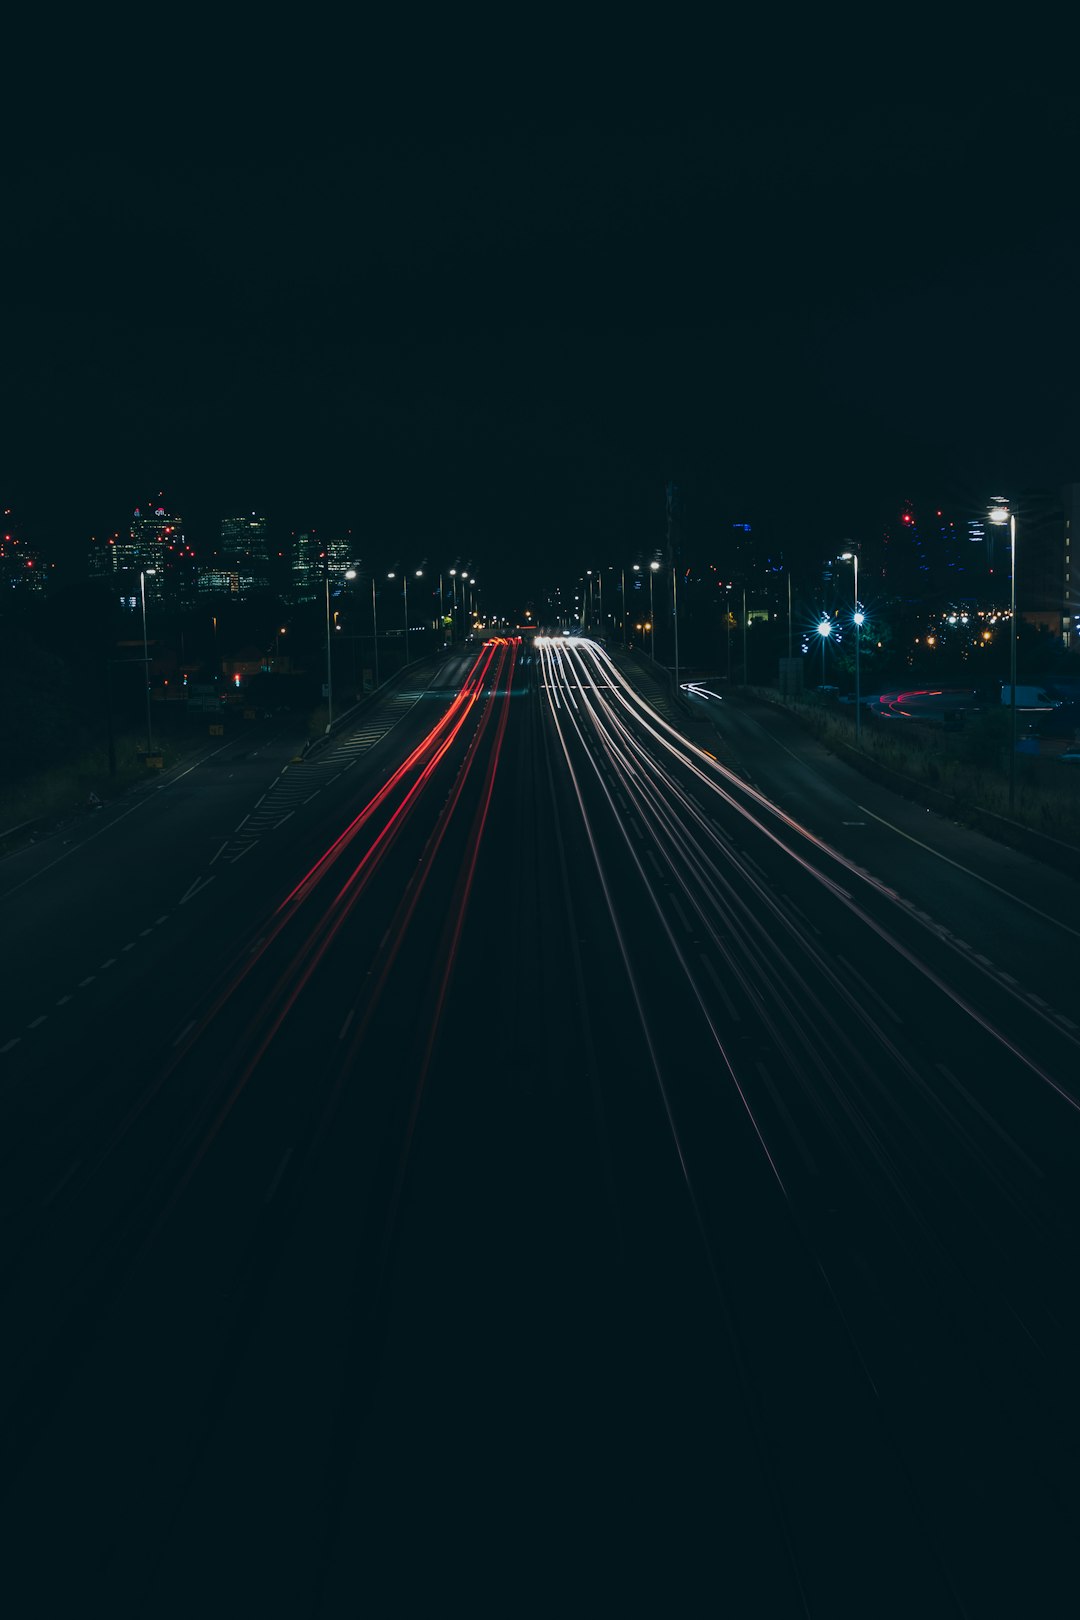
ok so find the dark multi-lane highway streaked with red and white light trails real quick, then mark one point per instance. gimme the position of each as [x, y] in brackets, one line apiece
[543, 1154]
